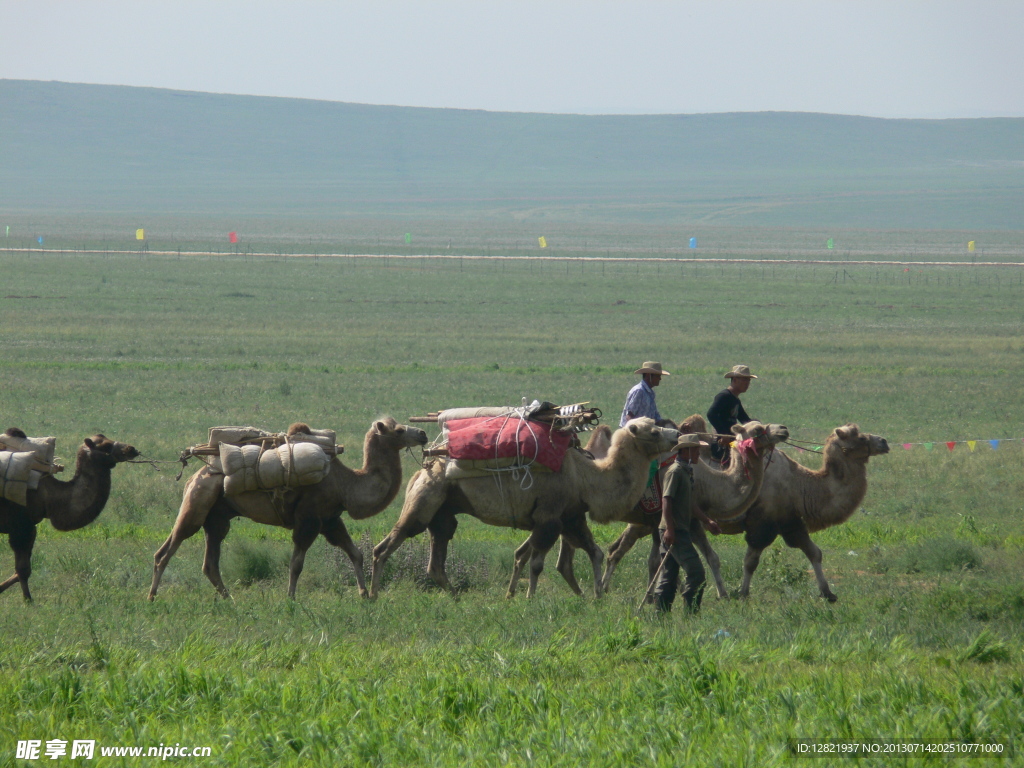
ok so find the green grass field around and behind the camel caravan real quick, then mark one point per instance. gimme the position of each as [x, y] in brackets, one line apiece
[923, 646]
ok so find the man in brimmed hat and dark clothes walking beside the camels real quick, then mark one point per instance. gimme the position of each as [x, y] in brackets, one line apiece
[678, 509]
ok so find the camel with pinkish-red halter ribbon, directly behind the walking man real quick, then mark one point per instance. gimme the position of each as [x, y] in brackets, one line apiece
[721, 494]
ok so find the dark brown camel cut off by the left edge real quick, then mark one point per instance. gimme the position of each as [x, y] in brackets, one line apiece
[68, 504]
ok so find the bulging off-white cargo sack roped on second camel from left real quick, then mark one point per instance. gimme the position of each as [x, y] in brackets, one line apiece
[252, 468]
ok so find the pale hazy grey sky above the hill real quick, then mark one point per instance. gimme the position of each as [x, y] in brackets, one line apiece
[929, 59]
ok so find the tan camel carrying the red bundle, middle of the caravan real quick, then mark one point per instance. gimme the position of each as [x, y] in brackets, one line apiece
[551, 505]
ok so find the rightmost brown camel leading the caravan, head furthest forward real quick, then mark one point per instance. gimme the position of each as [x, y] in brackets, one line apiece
[796, 502]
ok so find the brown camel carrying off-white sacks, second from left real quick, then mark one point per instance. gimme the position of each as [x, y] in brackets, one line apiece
[308, 513]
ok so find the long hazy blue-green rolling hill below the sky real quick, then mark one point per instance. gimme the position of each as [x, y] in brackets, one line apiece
[95, 149]
